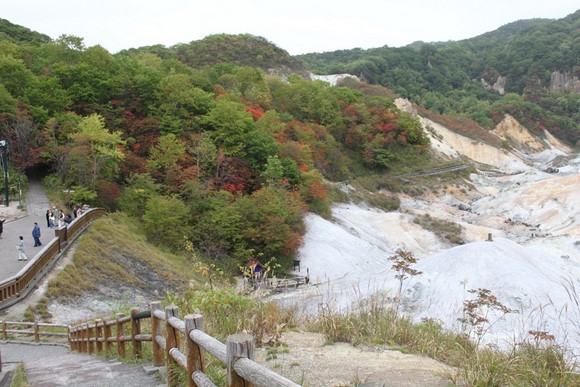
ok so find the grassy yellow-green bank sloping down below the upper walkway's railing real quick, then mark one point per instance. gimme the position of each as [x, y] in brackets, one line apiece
[115, 251]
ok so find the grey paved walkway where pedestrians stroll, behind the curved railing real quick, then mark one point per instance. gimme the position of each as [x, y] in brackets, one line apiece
[36, 206]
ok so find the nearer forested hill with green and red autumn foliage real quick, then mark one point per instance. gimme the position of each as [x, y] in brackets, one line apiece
[219, 153]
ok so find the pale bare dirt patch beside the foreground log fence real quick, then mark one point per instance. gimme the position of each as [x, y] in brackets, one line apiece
[305, 359]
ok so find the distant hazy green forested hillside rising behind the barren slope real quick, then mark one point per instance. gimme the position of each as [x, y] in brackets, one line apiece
[510, 70]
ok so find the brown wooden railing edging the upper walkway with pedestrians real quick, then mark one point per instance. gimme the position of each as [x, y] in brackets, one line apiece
[16, 287]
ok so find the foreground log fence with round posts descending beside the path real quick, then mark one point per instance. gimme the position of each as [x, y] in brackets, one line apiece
[166, 331]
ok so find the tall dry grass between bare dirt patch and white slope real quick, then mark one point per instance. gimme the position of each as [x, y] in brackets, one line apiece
[535, 363]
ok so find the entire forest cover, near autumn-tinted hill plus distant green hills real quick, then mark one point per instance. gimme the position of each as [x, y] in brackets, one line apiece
[226, 142]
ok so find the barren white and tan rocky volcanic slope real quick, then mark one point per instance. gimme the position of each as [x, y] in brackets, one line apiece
[532, 264]
